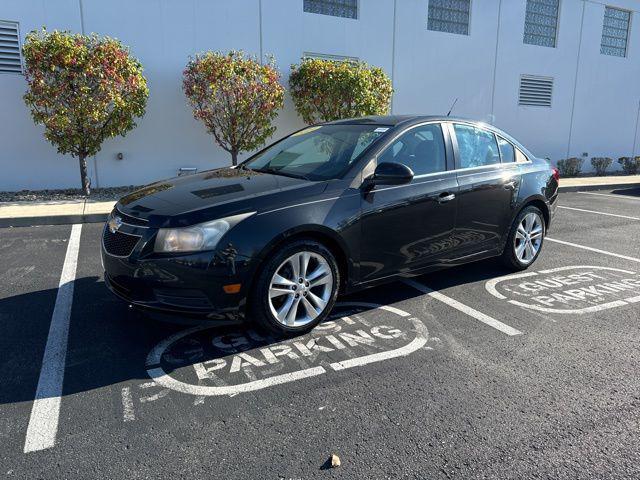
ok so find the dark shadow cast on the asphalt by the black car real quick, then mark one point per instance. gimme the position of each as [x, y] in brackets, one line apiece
[109, 342]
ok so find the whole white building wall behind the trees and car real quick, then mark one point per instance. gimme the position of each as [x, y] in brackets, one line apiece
[595, 99]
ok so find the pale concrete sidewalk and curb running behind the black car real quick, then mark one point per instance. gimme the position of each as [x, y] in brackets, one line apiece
[20, 214]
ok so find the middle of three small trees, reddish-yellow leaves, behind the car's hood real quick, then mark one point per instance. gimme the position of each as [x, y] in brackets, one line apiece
[236, 97]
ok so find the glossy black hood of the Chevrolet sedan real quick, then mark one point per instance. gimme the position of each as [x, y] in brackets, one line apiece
[211, 194]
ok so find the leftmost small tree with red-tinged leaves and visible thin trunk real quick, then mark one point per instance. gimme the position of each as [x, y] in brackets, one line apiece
[83, 89]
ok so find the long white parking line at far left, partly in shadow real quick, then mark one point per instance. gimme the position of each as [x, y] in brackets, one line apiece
[43, 423]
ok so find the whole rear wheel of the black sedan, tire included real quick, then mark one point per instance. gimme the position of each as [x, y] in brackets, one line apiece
[525, 239]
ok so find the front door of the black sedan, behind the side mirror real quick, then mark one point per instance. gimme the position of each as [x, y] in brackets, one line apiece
[409, 226]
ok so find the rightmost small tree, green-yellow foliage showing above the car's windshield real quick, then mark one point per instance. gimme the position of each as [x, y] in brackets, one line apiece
[325, 90]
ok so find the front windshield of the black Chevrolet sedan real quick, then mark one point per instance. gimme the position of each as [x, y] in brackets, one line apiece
[317, 153]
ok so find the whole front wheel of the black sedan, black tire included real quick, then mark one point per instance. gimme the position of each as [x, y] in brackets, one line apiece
[310, 297]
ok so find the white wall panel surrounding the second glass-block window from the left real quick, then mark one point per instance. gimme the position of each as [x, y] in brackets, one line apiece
[432, 69]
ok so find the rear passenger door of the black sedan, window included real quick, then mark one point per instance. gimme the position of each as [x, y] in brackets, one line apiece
[487, 188]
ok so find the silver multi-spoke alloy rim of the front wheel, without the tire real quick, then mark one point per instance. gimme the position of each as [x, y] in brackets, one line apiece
[300, 289]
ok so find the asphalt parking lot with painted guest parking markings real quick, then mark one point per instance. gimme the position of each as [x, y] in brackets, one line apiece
[467, 373]
